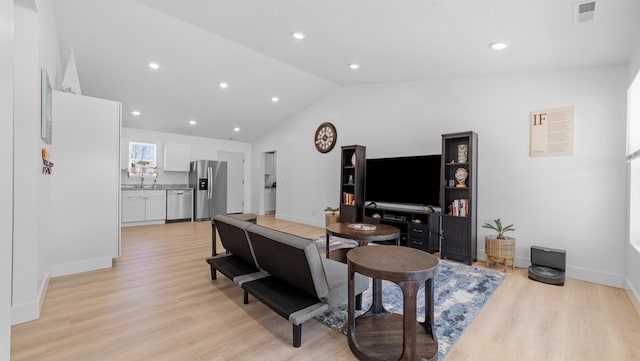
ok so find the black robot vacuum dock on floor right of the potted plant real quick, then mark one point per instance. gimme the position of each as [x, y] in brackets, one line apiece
[548, 265]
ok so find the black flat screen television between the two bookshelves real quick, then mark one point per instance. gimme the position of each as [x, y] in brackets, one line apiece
[413, 180]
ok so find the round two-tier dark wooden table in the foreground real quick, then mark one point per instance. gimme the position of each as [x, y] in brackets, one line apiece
[378, 334]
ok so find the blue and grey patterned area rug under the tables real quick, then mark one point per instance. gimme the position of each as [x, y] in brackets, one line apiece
[460, 292]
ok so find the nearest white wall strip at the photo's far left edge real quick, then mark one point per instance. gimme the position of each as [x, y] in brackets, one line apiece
[6, 177]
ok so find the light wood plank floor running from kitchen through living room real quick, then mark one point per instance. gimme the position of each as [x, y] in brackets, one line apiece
[158, 303]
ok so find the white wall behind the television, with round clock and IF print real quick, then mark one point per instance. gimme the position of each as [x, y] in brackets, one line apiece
[574, 203]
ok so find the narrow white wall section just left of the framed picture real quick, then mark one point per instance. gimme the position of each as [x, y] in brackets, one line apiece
[28, 165]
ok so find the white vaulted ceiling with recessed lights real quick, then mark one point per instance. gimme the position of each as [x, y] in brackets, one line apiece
[248, 44]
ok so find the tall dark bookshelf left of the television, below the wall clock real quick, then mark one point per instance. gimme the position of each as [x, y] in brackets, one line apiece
[352, 167]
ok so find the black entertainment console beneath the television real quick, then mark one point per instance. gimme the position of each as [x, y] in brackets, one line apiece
[418, 225]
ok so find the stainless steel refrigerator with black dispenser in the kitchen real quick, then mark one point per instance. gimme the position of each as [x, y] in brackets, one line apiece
[208, 178]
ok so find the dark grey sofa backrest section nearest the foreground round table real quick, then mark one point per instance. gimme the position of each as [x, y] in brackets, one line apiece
[293, 259]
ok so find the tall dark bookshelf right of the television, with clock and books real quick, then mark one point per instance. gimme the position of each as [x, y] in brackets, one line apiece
[458, 226]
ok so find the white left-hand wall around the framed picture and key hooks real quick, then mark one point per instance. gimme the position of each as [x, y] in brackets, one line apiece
[36, 47]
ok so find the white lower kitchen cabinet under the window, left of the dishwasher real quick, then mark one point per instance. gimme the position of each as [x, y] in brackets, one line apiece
[144, 206]
